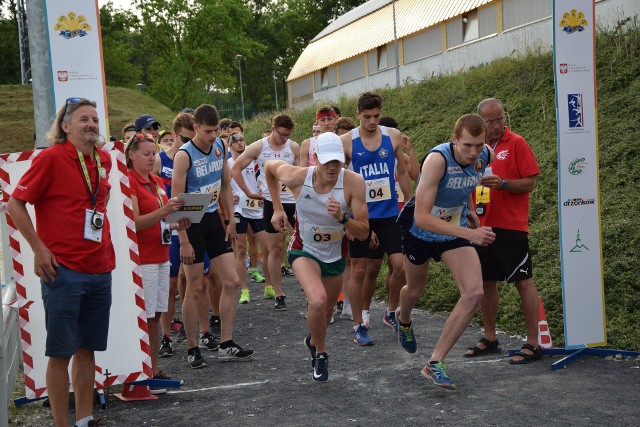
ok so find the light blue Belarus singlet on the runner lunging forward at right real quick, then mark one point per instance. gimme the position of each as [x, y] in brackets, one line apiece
[453, 191]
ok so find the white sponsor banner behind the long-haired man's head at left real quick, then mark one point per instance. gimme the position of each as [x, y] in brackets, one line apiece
[75, 49]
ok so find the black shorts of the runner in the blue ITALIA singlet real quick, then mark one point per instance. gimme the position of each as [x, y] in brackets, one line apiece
[389, 235]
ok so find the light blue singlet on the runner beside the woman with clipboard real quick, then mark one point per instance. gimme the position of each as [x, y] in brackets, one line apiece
[205, 171]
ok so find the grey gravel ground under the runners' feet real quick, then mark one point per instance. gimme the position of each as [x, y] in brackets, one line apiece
[379, 385]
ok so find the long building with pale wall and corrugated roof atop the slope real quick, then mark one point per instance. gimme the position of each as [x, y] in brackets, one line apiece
[357, 52]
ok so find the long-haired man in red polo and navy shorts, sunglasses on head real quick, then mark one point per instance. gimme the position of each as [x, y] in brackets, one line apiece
[68, 184]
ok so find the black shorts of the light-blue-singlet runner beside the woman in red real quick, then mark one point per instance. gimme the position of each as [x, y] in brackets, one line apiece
[208, 235]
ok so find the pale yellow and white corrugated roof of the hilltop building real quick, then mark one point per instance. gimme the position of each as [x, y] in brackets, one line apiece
[349, 36]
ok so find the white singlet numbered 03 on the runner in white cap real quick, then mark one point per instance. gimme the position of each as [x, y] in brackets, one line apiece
[315, 231]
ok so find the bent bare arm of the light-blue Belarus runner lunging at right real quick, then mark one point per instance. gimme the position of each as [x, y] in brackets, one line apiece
[432, 171]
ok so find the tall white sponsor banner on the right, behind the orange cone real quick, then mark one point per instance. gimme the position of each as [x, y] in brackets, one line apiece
[578, 188]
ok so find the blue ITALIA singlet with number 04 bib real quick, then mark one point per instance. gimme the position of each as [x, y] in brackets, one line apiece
[378, 169]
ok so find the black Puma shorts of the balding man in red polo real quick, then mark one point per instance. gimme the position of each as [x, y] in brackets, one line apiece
[507, 258]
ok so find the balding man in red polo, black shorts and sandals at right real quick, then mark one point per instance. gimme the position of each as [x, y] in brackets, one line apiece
[502, 202]
